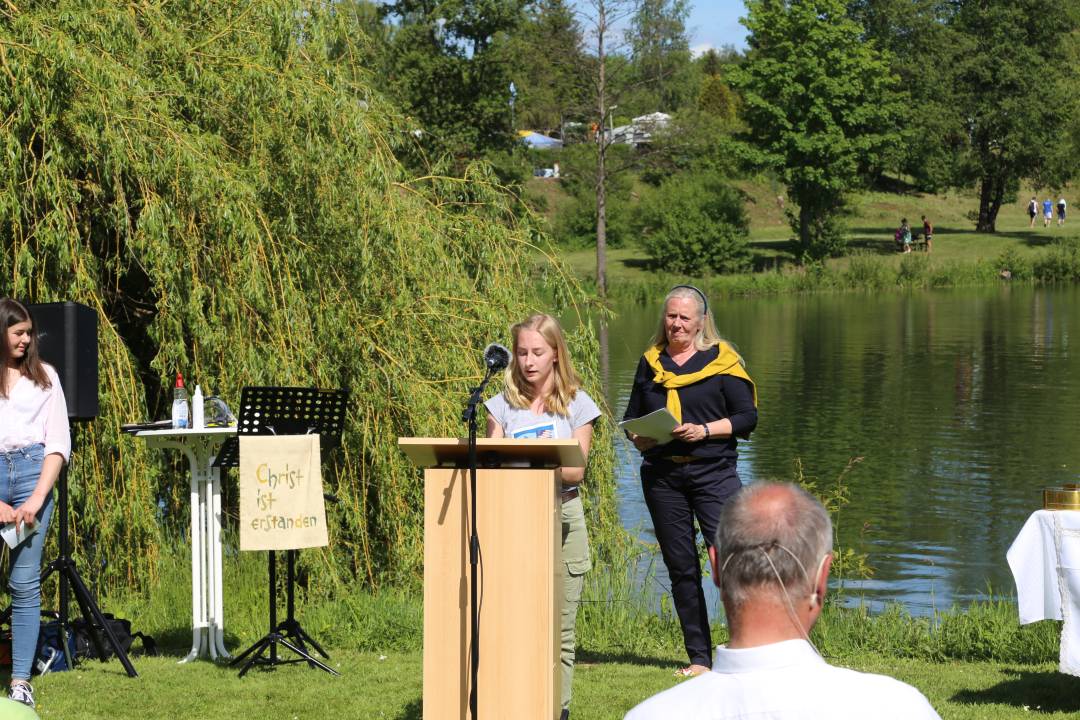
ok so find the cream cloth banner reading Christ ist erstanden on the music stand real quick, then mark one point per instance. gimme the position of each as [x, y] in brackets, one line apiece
[281, 494]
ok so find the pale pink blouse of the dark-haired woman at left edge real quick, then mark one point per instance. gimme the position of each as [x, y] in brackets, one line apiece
[32, 415]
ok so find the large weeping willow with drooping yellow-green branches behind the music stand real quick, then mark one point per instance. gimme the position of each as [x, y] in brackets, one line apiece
[215, 180]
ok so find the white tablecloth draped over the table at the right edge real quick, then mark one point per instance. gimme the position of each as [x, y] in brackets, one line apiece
[1046, 564]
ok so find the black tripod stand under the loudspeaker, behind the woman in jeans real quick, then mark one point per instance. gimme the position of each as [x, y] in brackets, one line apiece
[72, 581]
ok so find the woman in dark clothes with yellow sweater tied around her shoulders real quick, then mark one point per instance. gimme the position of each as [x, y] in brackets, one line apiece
[703, 382]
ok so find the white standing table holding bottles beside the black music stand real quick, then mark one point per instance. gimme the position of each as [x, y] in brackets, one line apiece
[201, 447]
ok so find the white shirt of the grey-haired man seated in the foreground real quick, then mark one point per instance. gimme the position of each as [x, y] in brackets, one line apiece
[785, 682]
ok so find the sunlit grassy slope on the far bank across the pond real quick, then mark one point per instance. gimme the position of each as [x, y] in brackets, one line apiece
[961, 256]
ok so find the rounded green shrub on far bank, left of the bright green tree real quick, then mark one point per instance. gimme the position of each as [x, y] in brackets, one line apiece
[693, 225]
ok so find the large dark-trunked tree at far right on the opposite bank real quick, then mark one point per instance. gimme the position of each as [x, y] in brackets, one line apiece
[1016, 94]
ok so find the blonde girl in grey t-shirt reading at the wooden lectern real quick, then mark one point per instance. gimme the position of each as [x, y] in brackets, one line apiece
[543, 399]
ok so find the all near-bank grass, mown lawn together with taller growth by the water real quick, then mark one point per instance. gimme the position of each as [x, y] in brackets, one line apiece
[971, 663]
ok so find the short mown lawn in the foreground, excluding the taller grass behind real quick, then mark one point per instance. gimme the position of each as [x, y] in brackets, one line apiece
[390, 686]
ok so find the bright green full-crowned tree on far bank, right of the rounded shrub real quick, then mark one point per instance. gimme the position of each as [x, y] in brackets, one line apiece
[820, 104]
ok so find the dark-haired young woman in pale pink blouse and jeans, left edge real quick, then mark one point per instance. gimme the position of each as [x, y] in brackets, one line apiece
[35, 443]
